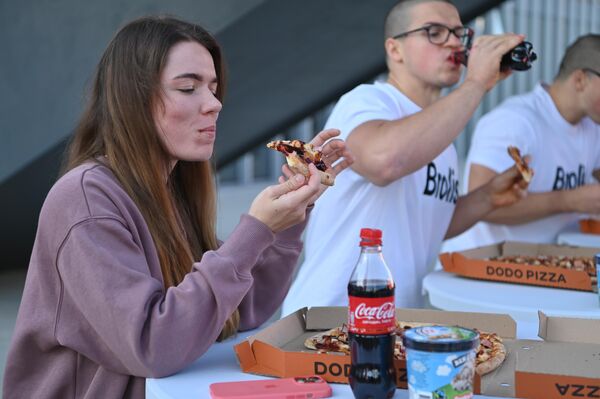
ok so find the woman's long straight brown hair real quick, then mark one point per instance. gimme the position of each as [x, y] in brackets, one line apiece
[118, 123]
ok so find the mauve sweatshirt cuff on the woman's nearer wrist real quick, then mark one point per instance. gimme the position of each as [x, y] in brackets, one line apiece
[247, 241]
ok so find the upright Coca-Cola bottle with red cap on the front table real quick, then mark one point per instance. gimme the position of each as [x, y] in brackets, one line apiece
[371, 322]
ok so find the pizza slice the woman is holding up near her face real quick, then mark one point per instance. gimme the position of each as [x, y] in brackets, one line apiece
[299, 154]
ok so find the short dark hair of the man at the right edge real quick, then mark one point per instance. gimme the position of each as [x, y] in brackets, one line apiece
[584, 53]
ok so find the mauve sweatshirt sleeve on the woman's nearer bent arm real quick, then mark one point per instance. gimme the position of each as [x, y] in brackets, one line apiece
[115, 313]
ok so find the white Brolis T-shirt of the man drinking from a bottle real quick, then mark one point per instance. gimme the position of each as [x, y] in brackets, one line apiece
[413, 212]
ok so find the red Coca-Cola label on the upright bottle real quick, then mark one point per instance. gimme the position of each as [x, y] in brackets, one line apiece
[372, 316]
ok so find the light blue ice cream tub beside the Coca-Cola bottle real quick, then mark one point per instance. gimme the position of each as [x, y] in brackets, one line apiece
[440, 361]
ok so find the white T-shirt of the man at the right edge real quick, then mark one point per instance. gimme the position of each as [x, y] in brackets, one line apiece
[563, 158]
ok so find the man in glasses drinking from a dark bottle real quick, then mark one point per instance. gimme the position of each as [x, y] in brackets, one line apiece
[404, 179]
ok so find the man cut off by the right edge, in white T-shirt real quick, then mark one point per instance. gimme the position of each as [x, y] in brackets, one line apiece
[559, 126]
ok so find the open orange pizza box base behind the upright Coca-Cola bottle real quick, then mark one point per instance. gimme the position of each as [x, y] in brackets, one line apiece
[278, 350]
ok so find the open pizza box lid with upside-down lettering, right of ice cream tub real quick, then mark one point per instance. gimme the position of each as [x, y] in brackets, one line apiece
[565, 364]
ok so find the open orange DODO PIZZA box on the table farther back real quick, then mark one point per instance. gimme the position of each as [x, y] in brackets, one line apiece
[474, 263]
